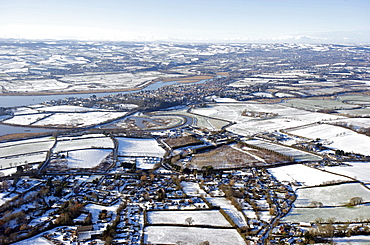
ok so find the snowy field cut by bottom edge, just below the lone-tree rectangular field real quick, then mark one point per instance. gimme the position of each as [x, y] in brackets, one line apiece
[190, 235]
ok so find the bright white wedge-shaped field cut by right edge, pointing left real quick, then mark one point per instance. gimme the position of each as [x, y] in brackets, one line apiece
[356, 170]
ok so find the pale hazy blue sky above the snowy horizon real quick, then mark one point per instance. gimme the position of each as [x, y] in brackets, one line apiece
[187, 20]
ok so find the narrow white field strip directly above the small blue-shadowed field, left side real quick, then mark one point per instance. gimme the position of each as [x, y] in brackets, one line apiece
[70, 143]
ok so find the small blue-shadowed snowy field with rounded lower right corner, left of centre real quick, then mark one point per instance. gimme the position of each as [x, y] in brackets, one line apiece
[88, 158]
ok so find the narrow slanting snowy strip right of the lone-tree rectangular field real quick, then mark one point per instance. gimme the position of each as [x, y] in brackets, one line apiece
[230, 209]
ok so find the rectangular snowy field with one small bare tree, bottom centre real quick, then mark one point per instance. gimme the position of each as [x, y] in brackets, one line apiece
[204, 217]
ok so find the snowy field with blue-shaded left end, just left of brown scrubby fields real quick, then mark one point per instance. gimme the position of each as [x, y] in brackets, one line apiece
[139, 147]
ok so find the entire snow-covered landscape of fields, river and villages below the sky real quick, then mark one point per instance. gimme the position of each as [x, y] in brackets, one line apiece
[170, 143]
